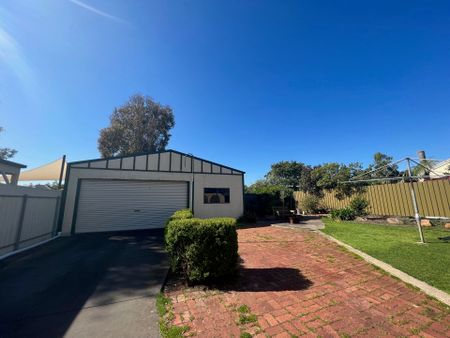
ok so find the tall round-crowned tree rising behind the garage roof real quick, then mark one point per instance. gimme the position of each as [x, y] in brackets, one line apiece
[140, 125]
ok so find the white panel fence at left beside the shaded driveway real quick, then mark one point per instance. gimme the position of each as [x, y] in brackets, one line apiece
[28, 216]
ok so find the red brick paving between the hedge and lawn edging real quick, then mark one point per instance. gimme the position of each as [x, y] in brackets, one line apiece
[298, 283]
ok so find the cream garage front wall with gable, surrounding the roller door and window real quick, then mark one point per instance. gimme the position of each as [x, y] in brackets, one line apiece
[167, 166]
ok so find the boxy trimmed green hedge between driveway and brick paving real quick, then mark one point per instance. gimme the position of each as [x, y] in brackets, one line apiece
[202, 249]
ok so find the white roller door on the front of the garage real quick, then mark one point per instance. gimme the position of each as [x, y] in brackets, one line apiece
[113, 205]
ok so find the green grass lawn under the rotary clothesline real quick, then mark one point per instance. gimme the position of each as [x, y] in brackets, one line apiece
[397, 246]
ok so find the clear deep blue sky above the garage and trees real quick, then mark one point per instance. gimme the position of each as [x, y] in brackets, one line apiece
[250, 82]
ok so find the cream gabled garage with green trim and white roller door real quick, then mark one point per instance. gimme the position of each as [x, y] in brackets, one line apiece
[141, 191]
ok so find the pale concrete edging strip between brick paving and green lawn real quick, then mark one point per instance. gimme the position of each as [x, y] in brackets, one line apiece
[426, 288]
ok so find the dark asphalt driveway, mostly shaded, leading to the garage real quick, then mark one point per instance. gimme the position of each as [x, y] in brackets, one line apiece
[89, 285]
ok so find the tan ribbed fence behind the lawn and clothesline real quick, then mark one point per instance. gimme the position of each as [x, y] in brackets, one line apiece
[433, 199]
